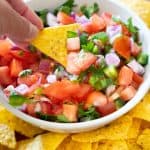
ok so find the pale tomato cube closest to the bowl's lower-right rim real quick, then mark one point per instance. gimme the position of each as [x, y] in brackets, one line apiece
[128, 93]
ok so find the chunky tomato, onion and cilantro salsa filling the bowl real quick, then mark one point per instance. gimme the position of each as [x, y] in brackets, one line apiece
[105, 67]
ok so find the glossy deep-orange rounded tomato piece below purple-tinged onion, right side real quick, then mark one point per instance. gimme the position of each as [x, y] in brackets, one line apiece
[122, 45]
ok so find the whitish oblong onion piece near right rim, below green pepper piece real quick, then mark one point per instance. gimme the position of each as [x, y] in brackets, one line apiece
[136, 67]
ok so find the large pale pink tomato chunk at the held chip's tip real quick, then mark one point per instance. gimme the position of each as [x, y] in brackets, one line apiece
[77, 63]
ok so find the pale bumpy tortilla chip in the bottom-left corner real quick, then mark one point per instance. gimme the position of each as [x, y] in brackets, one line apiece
[7, 136]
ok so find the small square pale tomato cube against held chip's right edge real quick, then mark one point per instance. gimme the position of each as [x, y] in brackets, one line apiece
[73, 44]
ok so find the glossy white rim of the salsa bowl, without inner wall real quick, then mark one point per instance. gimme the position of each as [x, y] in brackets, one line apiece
[89, 124]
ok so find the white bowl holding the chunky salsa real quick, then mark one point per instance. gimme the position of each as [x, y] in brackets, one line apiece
[117, 9]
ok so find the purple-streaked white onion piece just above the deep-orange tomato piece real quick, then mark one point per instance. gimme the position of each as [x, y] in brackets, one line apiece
[113, 32]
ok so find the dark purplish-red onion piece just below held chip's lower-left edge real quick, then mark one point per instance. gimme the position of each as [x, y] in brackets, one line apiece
[44, 66]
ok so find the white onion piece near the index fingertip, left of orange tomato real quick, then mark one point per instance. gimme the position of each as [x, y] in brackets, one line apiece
[51, 20]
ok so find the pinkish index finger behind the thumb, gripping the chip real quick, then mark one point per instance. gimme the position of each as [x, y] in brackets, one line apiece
[25, 11]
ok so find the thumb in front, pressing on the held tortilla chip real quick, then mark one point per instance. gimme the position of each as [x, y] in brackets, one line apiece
[14, 25]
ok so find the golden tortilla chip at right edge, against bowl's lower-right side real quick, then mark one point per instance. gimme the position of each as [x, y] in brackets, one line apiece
[142, 110]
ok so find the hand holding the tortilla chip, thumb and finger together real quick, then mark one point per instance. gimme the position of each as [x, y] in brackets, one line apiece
[18, 21]
